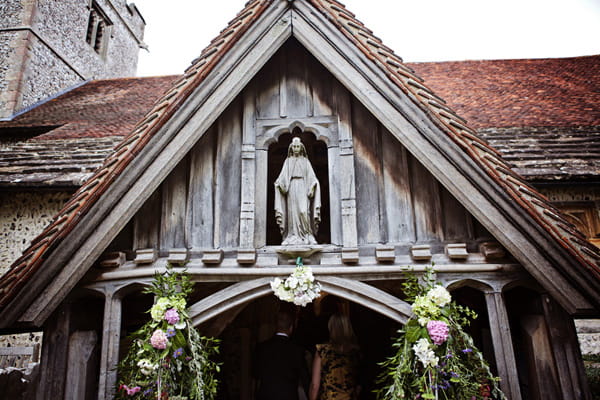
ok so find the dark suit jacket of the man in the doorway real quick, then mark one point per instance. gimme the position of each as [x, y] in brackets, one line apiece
[279, 367]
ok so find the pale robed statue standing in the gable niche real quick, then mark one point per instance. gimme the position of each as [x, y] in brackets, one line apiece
[297, 198]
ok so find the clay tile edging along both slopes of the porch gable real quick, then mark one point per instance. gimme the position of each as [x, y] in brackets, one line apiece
[485, 156]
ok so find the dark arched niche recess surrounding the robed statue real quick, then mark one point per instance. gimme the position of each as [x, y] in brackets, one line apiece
[317, 155]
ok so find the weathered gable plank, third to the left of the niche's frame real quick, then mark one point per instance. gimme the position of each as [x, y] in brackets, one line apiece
[174, 199]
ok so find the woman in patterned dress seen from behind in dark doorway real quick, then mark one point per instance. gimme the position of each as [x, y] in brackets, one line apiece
[335, 374]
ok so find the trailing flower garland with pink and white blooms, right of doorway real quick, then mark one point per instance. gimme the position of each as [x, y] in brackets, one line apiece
[435, 358]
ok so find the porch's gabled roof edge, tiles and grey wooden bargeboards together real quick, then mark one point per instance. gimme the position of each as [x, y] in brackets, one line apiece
[548, 246]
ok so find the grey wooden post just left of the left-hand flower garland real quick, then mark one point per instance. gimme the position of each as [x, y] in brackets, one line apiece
[110, 346]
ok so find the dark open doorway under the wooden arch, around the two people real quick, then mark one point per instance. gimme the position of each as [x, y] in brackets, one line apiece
[255, 323]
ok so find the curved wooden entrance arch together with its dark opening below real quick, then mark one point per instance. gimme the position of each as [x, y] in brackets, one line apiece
[243, 314]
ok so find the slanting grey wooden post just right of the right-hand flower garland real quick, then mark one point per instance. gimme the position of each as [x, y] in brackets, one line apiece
[503, 347]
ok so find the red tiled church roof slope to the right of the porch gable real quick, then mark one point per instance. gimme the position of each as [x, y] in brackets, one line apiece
[516, 93]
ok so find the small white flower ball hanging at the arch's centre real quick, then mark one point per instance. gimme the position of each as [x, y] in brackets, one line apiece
[299, 288]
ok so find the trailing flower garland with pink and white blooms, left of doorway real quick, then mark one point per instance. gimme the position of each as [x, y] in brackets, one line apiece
[168, 359]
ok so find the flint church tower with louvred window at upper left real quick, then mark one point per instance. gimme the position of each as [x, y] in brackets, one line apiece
[47, 46]
